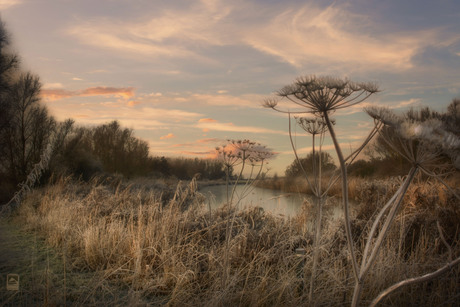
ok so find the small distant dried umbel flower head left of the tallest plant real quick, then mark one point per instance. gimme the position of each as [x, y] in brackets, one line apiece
[239, 151]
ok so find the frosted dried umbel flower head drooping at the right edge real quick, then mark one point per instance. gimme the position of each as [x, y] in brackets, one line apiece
[421, 141]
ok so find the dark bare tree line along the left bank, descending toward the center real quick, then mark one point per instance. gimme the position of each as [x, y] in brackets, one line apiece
[27, 127]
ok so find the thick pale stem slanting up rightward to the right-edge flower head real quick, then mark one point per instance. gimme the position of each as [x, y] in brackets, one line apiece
[384, 231]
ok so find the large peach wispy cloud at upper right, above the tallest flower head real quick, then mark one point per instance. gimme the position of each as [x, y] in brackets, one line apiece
[335, 36]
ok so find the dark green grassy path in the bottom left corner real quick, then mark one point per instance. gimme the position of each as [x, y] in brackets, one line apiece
[43, 280]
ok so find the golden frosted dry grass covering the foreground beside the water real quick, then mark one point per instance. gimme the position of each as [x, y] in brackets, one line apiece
[152, 249]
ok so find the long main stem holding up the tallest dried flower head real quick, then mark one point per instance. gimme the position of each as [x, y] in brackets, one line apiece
[346, 210]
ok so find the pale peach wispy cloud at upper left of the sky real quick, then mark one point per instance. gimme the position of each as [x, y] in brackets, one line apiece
[170, 34]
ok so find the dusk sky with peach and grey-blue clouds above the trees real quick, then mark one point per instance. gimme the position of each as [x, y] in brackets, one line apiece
[187, 75]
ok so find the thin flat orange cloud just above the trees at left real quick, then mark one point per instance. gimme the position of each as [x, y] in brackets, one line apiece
[123, 92]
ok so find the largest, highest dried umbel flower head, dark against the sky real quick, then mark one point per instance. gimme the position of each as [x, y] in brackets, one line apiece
[323, 94]
